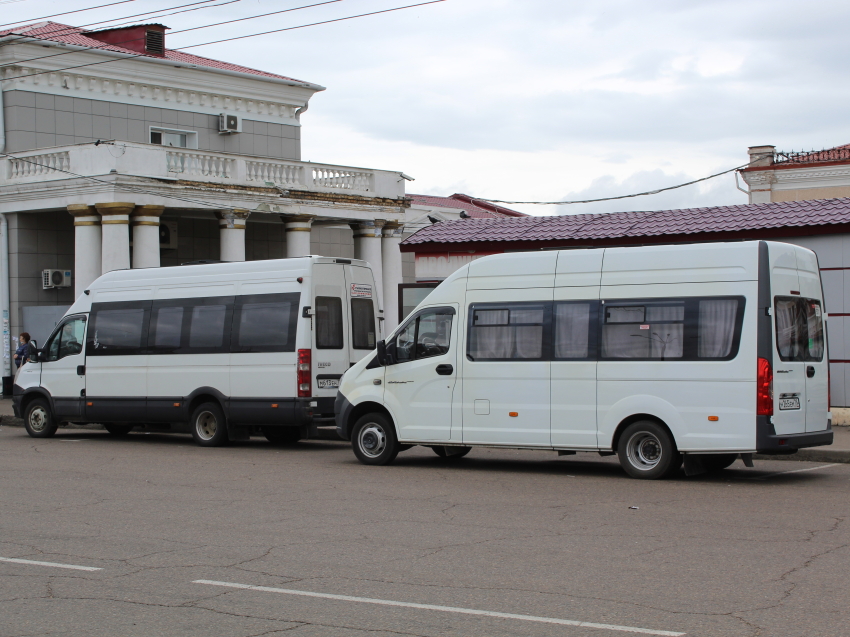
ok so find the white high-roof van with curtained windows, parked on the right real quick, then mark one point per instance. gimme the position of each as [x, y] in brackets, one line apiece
[662, 355]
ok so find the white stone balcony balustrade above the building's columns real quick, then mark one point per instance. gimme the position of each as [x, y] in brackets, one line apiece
[147, 160]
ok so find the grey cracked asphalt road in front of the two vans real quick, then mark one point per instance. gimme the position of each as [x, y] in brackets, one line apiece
[184, 536]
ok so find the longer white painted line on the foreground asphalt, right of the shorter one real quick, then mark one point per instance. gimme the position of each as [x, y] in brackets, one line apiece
[444, 609]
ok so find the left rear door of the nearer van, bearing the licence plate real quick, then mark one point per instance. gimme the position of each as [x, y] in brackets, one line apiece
[789, 368]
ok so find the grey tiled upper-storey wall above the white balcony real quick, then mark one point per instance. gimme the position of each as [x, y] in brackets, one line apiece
[35, 120]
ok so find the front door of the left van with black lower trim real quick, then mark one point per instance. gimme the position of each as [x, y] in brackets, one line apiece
[63, 368]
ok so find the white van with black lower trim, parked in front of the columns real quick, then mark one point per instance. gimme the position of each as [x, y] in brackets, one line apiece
[224, 350]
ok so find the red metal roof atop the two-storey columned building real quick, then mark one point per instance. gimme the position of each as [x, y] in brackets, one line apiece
[56, 32]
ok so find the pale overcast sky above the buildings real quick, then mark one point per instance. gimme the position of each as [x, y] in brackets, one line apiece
[541, 99]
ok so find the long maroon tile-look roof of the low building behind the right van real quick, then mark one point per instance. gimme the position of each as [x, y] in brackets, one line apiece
[793, 216]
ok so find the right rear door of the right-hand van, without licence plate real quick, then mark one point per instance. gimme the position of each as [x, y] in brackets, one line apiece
[817, 360]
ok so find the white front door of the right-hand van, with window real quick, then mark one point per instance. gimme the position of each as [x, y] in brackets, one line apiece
[420, 384]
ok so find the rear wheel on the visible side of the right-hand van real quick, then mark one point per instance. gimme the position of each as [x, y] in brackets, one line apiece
[648, 451]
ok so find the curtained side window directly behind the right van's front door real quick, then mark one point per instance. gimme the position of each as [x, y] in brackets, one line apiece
[514, 332]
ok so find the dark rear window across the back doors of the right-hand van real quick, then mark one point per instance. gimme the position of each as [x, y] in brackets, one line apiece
[799, 329]
